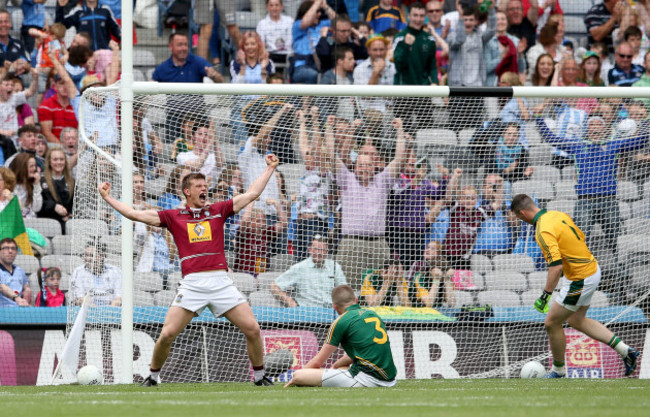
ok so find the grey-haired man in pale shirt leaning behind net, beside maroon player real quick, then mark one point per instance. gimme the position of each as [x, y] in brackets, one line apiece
[309, 283]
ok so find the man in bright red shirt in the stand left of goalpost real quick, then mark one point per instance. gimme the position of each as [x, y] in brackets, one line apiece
[56, 112]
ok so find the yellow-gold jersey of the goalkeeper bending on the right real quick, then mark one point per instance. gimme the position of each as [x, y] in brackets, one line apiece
[562, 242]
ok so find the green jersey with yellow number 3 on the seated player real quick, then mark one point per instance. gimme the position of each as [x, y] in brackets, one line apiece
[362, 334]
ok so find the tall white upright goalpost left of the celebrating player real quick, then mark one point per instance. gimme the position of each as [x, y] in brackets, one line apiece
[126, 98]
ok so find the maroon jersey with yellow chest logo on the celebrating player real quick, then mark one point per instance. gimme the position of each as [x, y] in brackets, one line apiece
[199, 235]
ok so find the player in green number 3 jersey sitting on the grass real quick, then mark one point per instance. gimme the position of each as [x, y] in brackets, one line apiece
[368, 360]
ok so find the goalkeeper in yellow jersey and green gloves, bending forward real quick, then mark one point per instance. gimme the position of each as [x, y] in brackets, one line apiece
[563, 245]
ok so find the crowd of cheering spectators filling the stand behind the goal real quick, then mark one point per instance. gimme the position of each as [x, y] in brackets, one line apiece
[398, 229]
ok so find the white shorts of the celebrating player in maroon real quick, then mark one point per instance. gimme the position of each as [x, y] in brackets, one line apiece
[214, 290]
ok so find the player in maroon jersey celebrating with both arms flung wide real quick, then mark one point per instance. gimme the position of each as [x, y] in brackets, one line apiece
[198, 233]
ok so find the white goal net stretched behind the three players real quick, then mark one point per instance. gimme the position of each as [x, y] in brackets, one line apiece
[404, 198]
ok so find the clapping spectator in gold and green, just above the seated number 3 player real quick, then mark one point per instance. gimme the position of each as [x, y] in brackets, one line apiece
[386, 286]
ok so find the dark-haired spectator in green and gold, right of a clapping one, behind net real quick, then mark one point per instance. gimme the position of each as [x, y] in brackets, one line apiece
[431, 279]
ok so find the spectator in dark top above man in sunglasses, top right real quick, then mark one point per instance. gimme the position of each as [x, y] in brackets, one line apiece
[601, 20]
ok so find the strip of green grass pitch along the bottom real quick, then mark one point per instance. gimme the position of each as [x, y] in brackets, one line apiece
[448, 398]
